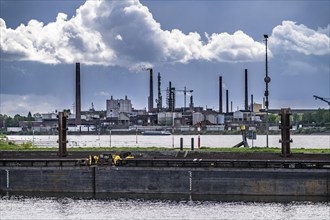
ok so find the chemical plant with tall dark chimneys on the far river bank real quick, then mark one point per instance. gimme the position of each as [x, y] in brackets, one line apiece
[120, 116]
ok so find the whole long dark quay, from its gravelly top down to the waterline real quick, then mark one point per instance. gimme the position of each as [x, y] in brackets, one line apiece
[187, 173]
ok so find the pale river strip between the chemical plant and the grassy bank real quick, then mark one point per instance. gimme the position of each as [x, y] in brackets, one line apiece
[213, 141]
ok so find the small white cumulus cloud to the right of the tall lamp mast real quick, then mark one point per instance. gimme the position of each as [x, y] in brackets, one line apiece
[292, 37]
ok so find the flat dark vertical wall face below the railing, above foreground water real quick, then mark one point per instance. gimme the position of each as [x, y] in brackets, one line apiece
[166, 180]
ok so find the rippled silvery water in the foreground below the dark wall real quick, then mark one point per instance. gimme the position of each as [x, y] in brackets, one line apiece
[120, 209]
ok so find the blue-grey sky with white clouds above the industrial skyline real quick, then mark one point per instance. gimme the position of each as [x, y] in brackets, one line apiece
[191, 44]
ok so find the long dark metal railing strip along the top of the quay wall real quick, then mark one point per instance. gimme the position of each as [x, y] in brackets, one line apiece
[141, 162]
